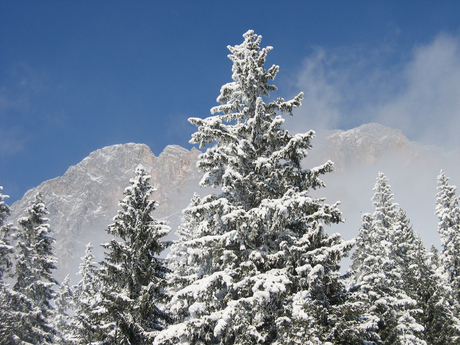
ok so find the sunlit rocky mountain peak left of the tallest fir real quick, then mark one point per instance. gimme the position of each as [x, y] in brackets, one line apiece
[83, 202]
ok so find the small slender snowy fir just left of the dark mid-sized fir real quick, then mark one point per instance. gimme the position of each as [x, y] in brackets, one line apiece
[87, 297]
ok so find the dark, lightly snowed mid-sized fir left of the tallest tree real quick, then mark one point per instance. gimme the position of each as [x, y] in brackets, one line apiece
[132, 277]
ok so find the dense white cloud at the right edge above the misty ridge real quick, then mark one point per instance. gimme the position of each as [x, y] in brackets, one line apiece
[428, 109]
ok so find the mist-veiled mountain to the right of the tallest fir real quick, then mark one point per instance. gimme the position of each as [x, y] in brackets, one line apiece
[412, 168]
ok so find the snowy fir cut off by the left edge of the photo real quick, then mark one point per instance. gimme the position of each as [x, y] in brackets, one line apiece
[6, 250]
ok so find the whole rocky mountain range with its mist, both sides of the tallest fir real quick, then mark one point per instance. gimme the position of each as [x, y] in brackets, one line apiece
[83, 202]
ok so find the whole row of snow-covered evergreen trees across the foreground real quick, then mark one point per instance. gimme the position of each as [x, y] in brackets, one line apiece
[253, 263]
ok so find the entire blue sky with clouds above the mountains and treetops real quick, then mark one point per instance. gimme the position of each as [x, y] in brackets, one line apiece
[76, 76]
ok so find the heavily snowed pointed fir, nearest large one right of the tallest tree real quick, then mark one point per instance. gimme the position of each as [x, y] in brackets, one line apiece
[387, 314]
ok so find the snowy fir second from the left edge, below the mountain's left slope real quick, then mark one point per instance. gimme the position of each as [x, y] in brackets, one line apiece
[33, 290]
